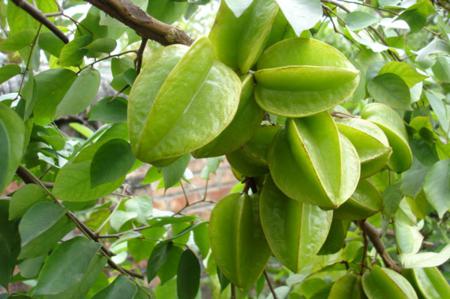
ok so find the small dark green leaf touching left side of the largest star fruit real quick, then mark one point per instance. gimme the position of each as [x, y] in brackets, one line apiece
[109, 110]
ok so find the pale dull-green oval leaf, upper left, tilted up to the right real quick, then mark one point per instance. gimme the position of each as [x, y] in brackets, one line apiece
[81, 94]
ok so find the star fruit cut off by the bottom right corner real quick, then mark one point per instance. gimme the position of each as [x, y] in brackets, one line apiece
[429, 283]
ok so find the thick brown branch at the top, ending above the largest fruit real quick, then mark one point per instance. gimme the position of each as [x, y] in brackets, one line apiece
[144, 25]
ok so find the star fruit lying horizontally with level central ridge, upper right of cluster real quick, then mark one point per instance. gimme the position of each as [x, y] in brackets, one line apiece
[299, 77]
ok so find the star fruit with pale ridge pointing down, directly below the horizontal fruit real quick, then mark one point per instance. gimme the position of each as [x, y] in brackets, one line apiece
[312, 162]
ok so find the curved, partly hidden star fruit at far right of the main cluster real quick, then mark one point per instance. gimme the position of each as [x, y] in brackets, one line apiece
[392, 125]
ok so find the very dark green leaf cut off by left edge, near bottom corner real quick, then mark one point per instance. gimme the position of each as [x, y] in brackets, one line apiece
[9, 244]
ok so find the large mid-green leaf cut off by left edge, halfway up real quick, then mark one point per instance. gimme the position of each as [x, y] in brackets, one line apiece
[12, 141]
